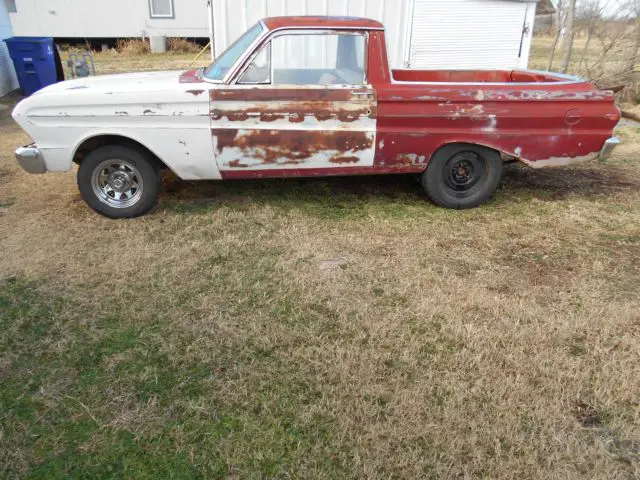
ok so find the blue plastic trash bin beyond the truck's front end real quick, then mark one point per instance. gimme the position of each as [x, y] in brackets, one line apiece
[37, 62]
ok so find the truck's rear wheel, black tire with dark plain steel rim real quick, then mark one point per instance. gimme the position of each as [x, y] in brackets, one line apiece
[462, 175]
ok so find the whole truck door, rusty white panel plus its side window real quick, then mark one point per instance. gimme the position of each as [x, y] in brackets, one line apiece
[302, 103]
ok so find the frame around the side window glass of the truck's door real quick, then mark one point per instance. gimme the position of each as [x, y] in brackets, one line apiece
[246, 62]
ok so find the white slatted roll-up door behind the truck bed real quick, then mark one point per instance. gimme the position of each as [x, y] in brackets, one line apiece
[473, 34]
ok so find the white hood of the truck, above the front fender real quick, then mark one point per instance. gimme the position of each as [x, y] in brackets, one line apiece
[114, 84]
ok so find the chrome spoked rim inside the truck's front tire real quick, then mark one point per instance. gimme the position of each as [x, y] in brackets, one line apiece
[117, 183]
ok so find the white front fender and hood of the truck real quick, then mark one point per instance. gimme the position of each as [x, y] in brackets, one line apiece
[153, 108]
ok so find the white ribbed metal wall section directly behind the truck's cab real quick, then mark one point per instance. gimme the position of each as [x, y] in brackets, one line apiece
[234, 17]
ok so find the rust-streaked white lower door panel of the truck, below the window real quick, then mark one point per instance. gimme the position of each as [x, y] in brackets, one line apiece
[308, 128]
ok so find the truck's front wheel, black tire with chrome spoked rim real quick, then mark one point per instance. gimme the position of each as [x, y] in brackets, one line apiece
[131, 181]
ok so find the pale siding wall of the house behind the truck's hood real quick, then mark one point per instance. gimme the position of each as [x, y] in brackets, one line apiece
[107, 18]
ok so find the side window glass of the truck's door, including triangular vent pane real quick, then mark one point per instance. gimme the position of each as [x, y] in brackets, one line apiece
[310, 59]
